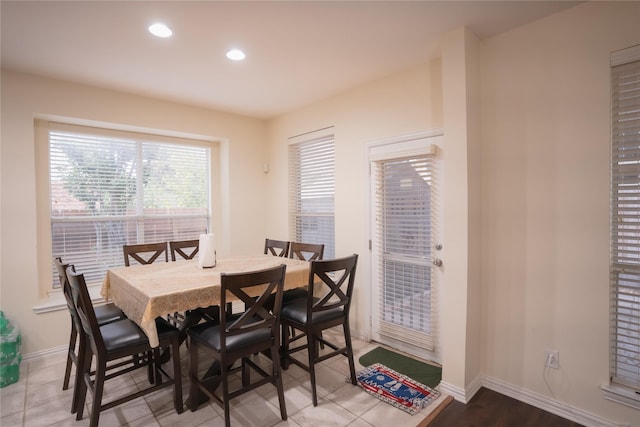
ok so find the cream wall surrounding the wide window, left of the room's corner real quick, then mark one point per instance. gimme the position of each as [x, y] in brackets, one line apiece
[25, 97]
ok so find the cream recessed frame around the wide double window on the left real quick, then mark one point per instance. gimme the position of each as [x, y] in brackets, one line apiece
[50, 296]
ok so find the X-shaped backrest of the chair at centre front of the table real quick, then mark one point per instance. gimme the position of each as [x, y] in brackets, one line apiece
[254, 289]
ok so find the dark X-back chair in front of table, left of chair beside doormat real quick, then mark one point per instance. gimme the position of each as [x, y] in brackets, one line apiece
[238, 337]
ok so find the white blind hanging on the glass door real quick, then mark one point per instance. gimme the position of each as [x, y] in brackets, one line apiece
[403, 242]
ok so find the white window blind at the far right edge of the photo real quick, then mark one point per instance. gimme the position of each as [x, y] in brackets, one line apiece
[625, 222]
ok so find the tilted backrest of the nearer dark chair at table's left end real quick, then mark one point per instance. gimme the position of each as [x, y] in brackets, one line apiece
[84, 309]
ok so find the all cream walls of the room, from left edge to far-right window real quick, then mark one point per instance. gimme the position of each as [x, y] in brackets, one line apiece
[534, 159]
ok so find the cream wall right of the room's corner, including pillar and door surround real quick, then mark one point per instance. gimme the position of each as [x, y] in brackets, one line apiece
[526, 120]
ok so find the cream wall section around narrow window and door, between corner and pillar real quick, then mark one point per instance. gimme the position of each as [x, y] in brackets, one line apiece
[403, 103]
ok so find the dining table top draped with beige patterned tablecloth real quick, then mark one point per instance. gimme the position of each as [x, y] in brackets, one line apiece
[145, 292]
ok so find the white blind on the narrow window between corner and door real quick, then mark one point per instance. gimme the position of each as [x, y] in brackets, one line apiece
[312, 189]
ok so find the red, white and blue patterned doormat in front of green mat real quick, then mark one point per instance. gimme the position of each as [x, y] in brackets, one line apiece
[396, 389]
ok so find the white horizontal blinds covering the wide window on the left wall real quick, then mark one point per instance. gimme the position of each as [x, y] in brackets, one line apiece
[111, 188]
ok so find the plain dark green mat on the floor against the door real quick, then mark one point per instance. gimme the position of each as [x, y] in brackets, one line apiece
[424, 373]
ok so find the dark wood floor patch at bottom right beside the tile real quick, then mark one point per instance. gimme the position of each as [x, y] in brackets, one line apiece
[491, 409]
